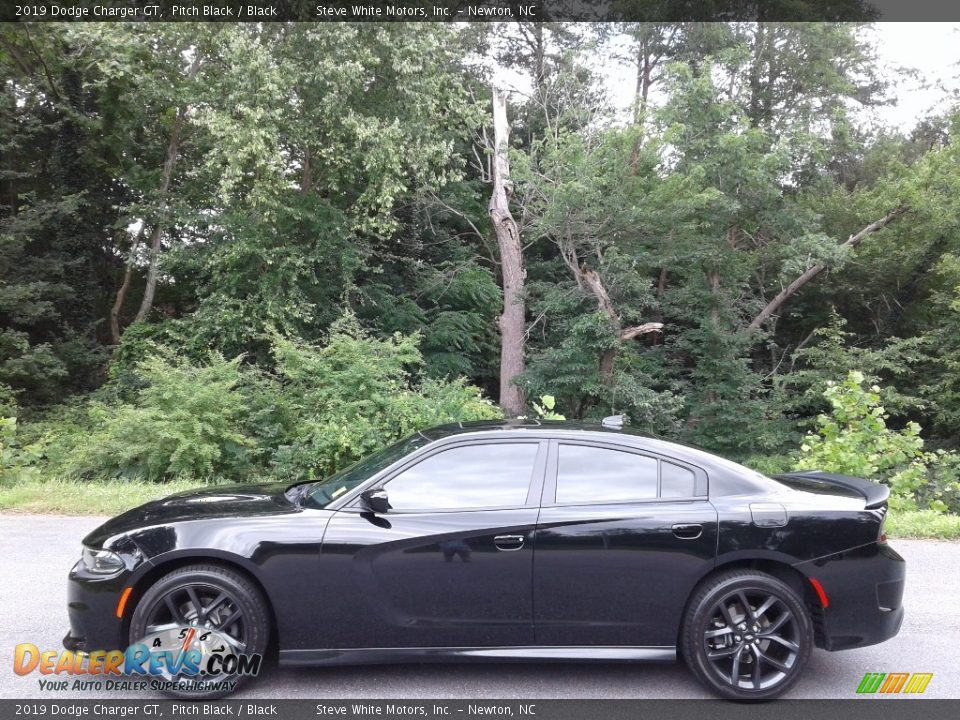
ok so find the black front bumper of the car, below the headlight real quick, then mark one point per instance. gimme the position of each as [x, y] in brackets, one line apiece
[92, 608]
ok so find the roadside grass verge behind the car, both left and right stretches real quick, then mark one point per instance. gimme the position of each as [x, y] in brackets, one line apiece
[71, 497]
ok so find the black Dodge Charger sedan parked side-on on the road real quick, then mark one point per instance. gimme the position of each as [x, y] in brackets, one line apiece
[510, 541]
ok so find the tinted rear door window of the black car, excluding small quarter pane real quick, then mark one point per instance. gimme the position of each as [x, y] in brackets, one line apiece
[598, 475]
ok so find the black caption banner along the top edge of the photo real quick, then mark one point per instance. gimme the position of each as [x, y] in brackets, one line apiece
[476, 10]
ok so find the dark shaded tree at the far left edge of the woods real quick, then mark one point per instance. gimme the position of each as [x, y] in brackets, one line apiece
[58, 205]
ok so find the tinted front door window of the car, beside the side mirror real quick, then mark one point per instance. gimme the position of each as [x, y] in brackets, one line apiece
[473, 476]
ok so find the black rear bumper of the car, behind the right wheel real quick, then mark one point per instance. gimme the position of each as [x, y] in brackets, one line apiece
[864, 591]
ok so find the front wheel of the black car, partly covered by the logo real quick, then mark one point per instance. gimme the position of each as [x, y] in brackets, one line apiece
[225, 597]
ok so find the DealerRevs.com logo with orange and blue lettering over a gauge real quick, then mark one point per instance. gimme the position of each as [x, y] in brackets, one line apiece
[178, 658]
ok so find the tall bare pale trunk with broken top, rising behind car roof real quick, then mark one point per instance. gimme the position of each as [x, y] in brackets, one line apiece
[513, 318]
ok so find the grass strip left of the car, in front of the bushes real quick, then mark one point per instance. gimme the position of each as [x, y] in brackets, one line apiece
[72, 497]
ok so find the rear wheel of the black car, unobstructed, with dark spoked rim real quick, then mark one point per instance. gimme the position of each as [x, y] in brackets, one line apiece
[755, 655]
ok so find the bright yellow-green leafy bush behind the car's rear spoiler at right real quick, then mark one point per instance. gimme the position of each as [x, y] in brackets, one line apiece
[855, 440]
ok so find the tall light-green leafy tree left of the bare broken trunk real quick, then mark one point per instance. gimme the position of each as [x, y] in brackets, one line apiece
[314, 137]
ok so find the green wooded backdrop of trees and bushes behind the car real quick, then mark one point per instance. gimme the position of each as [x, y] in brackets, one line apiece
[325, 166]
